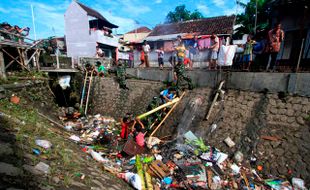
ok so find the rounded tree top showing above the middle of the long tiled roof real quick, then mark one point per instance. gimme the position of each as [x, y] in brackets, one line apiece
[180, 13]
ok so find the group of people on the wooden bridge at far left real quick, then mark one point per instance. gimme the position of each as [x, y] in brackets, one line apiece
[13, 33]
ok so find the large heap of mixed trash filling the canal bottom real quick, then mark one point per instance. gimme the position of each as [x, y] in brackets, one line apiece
[183, 163]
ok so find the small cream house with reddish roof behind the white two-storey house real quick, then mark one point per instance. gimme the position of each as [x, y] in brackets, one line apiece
[137, 35]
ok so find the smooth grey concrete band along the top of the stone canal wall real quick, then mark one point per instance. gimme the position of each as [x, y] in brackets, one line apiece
[293, 83]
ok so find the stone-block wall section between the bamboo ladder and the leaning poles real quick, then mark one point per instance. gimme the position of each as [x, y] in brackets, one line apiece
[113, 101]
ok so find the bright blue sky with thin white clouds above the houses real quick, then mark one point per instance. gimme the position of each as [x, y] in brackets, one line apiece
[127, 14]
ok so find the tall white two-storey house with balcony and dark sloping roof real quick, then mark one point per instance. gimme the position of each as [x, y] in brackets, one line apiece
[85, 28]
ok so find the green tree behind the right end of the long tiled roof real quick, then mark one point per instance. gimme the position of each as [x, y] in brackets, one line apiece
[246, 20]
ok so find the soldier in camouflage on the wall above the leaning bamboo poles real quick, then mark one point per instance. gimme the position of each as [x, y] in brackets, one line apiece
[179, 71]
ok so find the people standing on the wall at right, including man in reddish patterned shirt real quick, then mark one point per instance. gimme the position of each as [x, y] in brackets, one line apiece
[265, 48]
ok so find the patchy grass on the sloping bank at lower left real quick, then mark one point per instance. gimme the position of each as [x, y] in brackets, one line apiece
[61, 160]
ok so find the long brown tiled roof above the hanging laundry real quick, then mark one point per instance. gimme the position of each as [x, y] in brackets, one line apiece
[218, 25]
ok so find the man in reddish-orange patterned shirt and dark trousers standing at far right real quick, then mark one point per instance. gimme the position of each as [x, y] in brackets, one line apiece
[275, 36]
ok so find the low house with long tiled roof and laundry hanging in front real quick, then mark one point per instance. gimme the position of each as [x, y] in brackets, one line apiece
[164, 35]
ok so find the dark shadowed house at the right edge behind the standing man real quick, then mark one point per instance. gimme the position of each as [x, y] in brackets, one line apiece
[294, 16]
